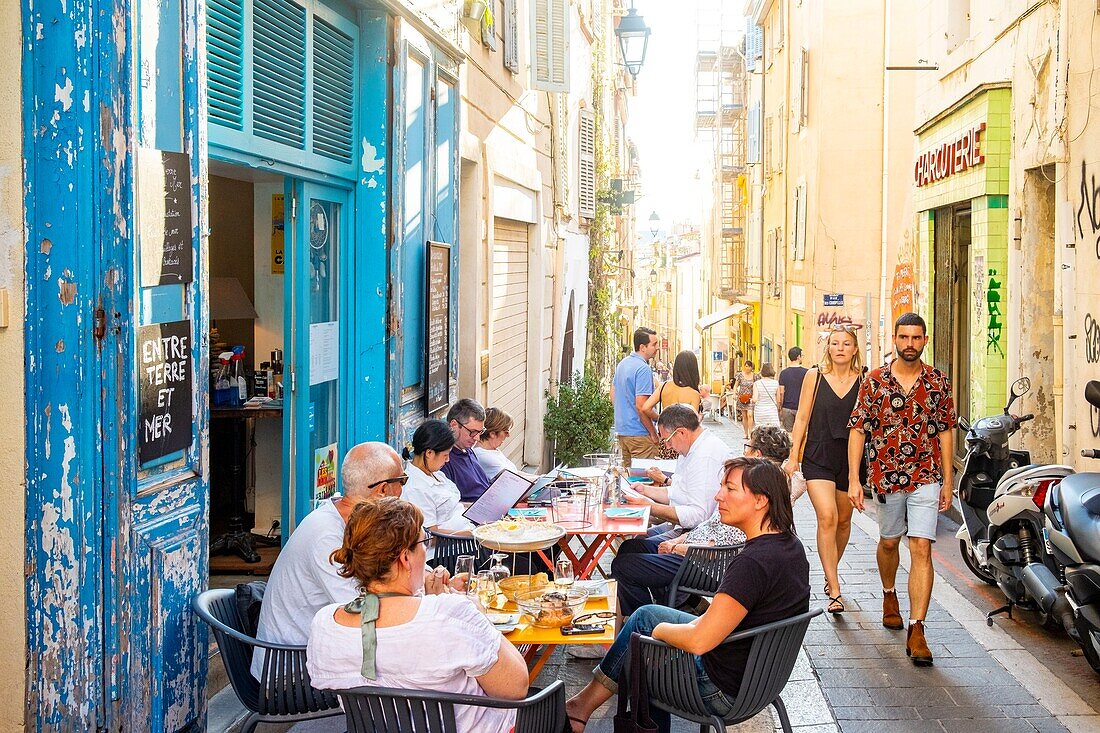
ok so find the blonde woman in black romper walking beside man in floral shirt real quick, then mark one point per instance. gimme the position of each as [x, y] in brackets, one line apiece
[820, 448]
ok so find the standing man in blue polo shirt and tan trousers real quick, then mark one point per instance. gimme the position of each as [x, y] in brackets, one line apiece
[632, 387]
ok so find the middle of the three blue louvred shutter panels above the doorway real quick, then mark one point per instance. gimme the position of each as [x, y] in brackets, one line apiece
[279, 72]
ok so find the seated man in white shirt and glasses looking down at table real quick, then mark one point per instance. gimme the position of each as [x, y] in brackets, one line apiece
[689, 498]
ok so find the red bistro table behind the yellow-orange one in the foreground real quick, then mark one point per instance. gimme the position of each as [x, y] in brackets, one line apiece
[596, 532]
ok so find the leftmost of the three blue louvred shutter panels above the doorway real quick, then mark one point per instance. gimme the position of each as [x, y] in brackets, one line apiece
[226, 62]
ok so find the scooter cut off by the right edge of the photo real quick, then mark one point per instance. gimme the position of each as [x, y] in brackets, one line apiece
[1073, 538]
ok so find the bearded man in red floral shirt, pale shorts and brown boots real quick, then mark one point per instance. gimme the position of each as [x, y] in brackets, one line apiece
[906, 411]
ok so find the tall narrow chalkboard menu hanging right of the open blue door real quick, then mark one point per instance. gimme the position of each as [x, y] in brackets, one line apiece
[438, 337]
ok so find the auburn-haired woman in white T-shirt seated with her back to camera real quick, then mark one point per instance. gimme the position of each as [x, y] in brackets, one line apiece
[392, 637]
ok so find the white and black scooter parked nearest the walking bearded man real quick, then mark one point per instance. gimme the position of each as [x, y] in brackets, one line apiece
[1002, 495]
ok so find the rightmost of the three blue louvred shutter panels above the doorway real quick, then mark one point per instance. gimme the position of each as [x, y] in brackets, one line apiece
[334, 92]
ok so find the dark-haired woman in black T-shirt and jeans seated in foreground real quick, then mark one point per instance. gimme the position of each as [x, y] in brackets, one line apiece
[768, 582]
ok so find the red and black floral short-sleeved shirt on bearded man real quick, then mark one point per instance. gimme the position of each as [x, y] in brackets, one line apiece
[904, 451]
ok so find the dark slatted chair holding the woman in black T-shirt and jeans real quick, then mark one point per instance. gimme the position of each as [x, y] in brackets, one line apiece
[672, 683]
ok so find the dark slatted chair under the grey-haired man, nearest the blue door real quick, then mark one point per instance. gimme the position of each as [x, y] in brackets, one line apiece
[283, 695]
